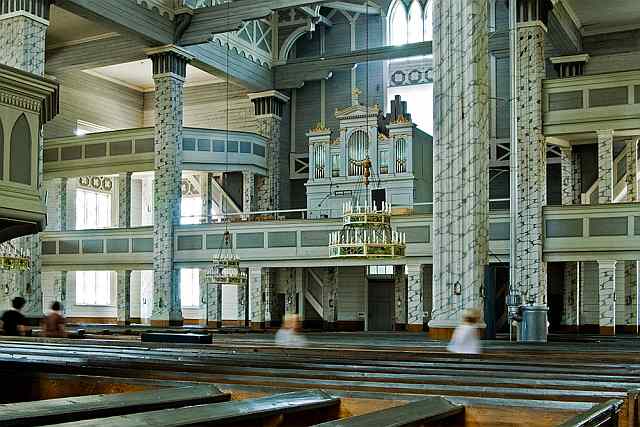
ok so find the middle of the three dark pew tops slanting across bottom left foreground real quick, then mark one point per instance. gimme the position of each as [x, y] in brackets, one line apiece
[289, 408]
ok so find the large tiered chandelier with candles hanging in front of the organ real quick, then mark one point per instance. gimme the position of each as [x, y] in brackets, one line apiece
[366, 229]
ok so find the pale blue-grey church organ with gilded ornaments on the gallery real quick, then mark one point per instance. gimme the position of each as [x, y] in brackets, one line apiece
[400, 155]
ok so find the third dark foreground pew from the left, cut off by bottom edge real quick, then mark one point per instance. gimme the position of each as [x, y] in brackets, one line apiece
[412, 414]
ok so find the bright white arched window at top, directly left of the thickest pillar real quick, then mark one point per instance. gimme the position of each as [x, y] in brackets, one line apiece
[410, 21]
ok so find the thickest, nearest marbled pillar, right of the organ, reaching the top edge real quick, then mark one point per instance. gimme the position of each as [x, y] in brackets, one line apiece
[461, 160]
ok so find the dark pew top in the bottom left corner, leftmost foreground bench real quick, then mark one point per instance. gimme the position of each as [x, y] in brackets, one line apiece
[51, 411]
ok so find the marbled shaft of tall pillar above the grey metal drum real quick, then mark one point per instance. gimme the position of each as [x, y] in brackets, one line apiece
[530, 269]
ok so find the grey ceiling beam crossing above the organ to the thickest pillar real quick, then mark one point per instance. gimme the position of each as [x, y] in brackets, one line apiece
[296, 72]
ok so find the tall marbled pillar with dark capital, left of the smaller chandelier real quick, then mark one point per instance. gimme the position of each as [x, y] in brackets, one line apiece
[169, 71]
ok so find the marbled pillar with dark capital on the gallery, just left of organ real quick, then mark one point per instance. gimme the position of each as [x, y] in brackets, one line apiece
[268, 111]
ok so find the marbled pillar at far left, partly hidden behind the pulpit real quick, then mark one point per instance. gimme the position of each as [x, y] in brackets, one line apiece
[23, 29]
